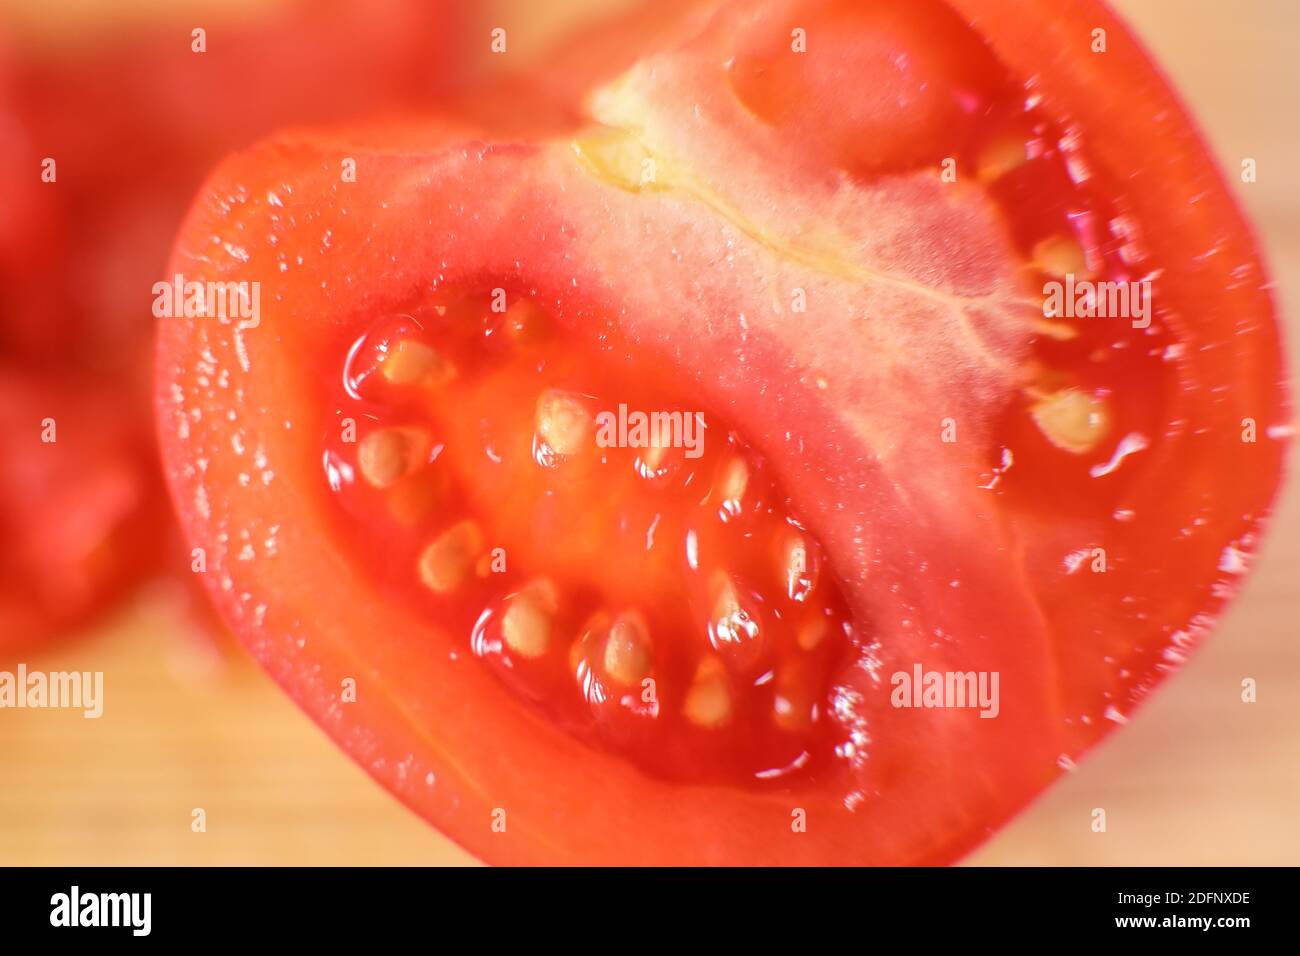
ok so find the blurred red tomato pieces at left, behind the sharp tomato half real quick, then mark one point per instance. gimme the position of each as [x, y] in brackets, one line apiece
[132, 120]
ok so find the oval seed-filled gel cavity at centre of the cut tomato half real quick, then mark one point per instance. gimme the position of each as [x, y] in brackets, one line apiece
[642, 579]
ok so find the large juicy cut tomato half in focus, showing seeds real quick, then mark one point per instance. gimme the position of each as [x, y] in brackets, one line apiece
[603, 494]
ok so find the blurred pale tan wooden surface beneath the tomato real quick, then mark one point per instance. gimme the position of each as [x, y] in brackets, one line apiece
[1198, 778]
